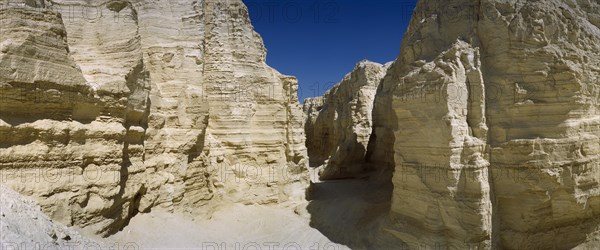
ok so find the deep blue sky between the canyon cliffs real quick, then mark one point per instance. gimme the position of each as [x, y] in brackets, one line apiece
[320, 41]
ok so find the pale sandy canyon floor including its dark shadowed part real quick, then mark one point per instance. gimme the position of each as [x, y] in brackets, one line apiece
[337, 215]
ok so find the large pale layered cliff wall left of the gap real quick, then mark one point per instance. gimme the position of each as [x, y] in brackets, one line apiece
[112, 108]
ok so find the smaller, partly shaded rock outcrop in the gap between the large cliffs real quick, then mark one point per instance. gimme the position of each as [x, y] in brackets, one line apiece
[339, 123]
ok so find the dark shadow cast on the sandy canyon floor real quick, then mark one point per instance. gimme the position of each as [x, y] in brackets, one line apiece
[350, 211]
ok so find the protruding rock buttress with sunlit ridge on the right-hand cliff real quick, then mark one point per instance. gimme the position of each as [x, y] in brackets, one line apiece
[440, 149]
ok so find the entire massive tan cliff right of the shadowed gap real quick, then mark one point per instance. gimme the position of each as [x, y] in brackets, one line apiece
[492, 114]
